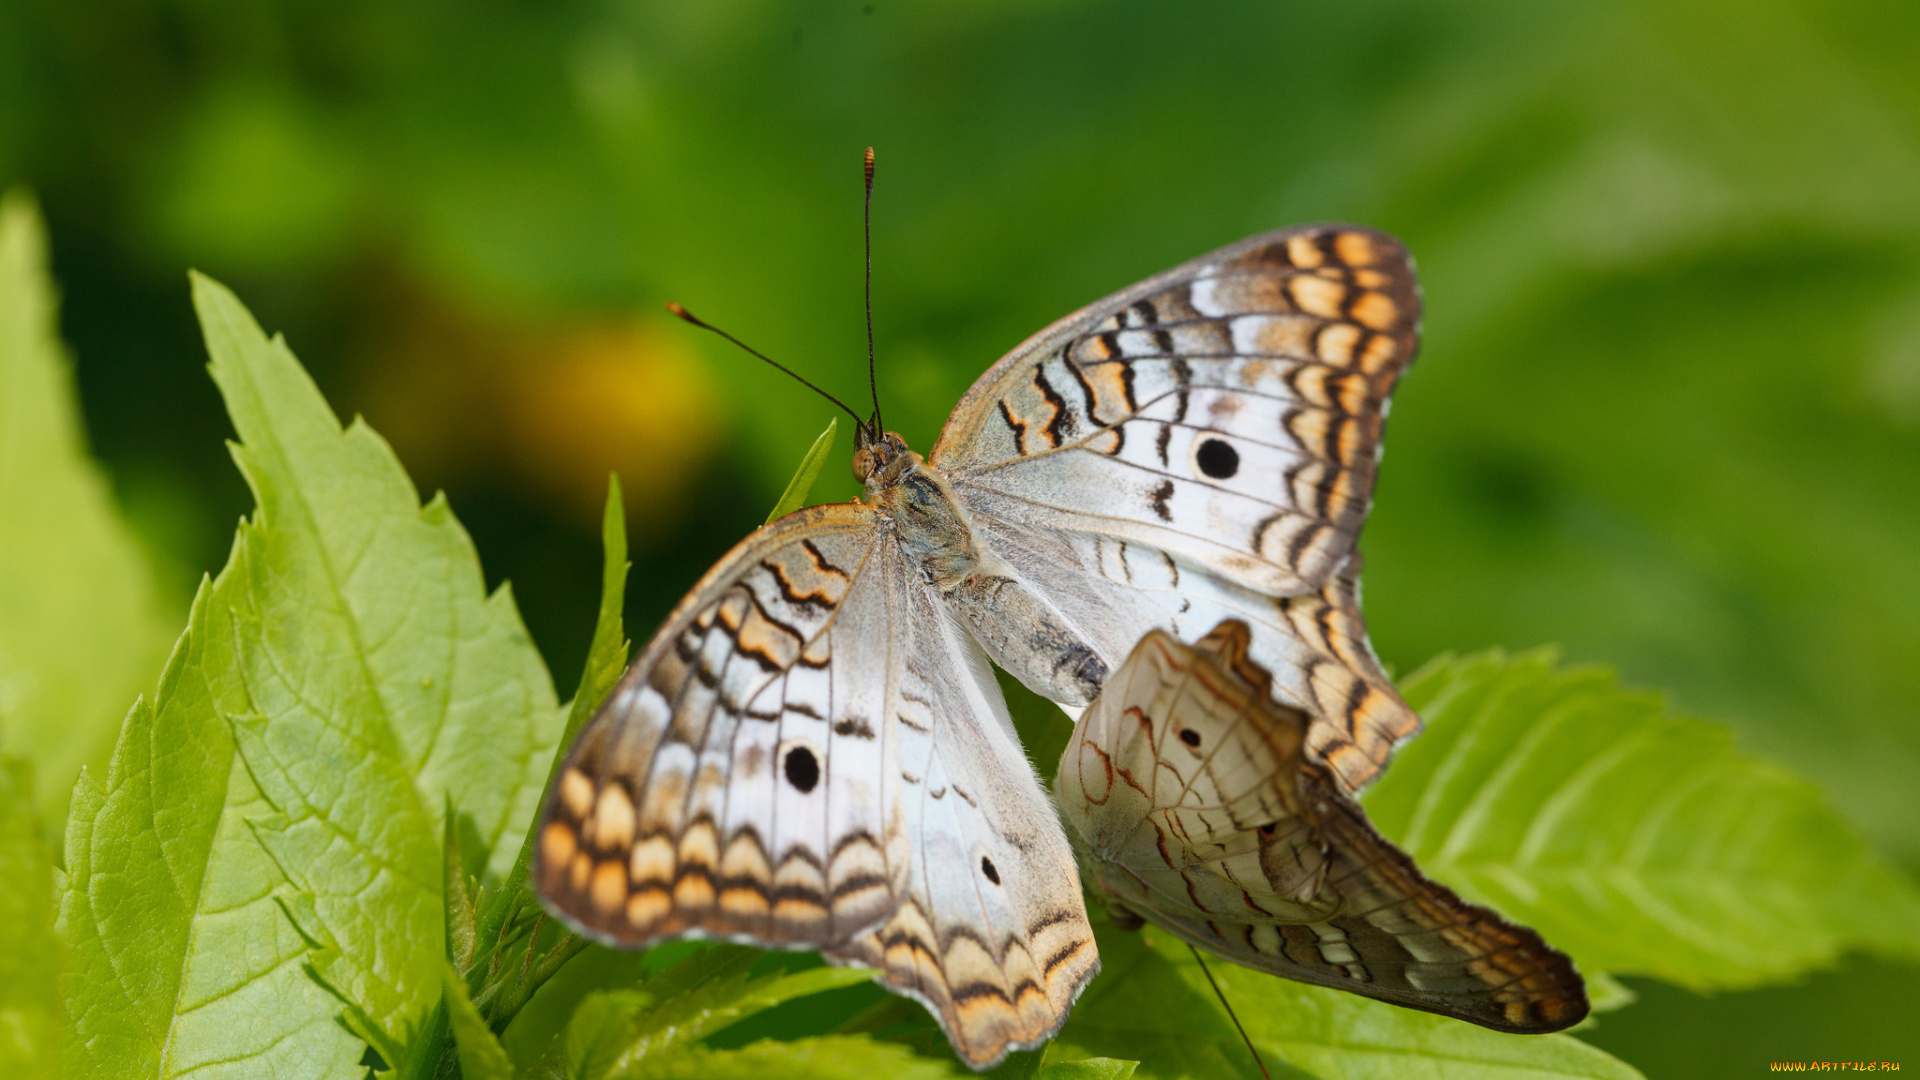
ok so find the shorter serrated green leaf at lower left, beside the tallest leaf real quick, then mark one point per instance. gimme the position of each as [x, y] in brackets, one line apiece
[180, 958]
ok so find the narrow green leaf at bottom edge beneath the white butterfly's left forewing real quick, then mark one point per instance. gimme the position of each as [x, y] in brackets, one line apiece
[683, 1004]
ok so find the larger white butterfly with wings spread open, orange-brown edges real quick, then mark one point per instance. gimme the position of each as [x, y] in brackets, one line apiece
[813, 750]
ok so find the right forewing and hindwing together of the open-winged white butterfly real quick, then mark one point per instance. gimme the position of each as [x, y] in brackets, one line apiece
[1203, 447]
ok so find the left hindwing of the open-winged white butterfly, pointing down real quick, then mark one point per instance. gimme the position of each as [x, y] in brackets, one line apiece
[994, 933]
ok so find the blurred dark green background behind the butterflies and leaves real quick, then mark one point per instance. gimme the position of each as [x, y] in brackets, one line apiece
[1668, 410]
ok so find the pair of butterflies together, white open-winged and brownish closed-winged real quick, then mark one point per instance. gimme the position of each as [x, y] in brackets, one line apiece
[813, 752]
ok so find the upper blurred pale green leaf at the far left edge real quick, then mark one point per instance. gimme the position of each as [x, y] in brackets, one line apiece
[82, 629]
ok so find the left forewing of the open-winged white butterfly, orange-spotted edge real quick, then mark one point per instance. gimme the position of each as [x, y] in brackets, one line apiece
[740, 781]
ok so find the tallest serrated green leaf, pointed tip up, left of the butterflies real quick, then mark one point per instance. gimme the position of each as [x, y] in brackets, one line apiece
[383, 681]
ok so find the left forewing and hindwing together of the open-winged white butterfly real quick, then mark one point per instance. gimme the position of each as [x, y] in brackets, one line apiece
[811, 754]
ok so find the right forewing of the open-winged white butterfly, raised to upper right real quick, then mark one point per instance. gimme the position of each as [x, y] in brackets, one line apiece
[1228, 412]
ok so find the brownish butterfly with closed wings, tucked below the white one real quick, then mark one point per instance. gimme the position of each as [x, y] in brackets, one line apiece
[1195, 806]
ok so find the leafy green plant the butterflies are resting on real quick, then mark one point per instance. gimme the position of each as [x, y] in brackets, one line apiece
[308, 854]
